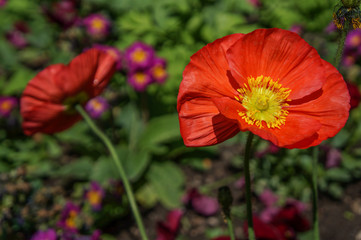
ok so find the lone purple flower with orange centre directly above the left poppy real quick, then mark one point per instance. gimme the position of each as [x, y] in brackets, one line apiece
[97, 25]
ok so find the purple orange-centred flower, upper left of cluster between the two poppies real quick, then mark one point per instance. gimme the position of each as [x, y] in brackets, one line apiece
[139, 56]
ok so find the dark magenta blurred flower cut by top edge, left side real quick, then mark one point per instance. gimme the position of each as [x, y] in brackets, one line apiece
[63, 12]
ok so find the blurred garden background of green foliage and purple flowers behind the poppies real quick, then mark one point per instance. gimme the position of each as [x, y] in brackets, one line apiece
[64, 186]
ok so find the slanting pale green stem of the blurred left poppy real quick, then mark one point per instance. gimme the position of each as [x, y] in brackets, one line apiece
[117, 162]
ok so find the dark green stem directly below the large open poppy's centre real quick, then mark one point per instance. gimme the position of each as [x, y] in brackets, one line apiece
[247, 156]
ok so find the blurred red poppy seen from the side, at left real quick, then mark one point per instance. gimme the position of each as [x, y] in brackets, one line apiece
[47, 103]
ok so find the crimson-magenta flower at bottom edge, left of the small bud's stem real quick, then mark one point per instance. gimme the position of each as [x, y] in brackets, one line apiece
[168, 230]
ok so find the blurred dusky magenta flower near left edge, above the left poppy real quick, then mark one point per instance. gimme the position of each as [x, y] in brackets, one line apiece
[16, 36]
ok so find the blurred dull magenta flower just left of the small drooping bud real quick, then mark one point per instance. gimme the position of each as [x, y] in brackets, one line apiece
[200, 203]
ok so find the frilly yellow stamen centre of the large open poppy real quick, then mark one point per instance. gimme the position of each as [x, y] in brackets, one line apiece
[264, 101]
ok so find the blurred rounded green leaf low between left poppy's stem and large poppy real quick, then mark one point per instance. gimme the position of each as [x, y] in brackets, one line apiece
[167, 180]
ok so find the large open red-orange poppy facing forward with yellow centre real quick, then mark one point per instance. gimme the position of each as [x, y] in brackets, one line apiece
[270, 82]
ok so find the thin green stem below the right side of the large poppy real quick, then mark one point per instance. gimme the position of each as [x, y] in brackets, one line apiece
[316, 233]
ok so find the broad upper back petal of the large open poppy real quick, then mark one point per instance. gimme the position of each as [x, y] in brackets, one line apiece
[282, 55]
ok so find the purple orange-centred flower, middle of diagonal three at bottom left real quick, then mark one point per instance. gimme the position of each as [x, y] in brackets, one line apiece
[69, 217]
